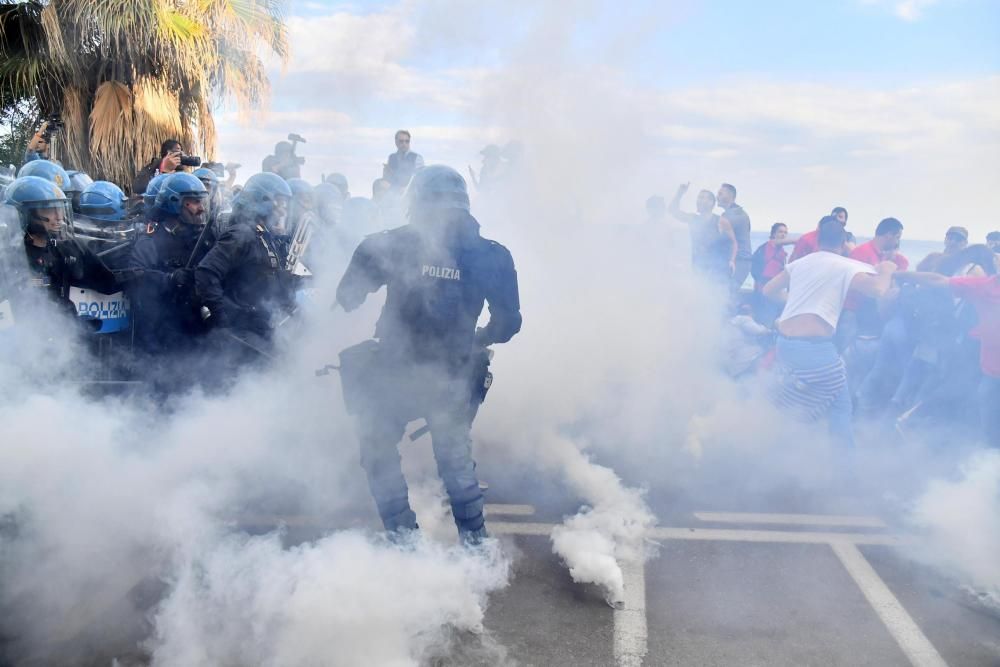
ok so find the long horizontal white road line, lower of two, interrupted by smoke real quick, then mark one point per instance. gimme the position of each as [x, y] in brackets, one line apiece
[719, 534]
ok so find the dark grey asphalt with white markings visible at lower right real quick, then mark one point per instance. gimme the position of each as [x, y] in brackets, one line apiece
[740, 589]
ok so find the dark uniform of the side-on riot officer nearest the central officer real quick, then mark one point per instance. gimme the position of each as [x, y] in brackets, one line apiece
[244, 280]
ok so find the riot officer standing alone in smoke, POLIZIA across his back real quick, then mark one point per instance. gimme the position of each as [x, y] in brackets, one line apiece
[429, 360]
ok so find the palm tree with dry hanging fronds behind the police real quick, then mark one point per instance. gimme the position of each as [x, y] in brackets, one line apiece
[126, 74]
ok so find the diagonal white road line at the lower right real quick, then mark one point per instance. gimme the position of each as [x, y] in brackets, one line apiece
[901, 626]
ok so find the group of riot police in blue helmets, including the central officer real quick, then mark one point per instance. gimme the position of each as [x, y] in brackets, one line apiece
[205, 272]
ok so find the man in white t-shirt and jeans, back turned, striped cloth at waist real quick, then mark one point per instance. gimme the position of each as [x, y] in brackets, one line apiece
[813, 377]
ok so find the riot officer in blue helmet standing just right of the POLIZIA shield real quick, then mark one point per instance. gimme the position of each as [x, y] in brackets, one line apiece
[163, 259]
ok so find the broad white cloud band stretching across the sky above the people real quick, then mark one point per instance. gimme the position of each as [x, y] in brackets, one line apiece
[924, 152]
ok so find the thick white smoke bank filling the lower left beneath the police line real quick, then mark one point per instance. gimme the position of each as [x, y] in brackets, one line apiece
[124, 526]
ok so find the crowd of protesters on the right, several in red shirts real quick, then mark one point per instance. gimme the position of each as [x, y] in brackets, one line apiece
[849, 333]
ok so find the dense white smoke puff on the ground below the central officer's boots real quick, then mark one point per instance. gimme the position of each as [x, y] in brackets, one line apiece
[249, 600]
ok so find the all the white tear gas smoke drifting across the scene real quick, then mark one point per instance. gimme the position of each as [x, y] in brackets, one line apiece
[127, 525]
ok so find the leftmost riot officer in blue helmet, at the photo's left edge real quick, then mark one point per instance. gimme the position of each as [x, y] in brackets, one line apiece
[56, 261]
